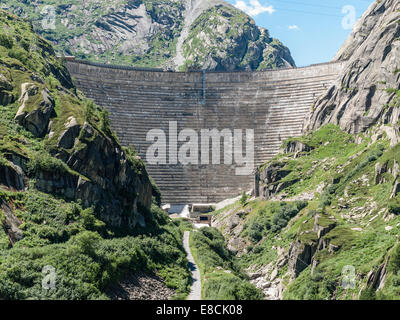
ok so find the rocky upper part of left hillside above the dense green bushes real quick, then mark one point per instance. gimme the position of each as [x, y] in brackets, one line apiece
[83, 160]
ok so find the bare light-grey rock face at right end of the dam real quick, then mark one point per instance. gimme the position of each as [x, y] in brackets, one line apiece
[366, 92]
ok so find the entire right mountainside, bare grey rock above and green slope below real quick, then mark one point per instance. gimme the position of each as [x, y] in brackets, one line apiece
[324, 221]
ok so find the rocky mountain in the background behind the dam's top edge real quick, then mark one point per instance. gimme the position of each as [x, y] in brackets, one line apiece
[171, 34]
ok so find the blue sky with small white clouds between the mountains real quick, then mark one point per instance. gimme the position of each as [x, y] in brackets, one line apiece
[313, 30]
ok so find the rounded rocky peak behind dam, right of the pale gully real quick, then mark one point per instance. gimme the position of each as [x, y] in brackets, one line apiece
[223, 38]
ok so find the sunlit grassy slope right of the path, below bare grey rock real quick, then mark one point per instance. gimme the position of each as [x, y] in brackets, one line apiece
[347, 194]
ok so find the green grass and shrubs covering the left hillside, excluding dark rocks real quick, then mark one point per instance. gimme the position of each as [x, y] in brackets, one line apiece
[42, 229]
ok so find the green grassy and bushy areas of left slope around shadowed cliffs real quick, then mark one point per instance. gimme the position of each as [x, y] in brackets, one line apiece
[86, 254]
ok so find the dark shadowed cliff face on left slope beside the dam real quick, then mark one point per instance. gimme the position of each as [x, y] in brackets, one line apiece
[102, 161]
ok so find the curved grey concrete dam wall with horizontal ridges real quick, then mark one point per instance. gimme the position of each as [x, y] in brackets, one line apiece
[272, 103]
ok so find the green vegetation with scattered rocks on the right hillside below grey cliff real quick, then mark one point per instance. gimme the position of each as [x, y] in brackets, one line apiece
[350, 218]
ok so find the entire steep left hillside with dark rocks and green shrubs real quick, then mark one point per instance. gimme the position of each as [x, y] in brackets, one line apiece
[73, 201]
